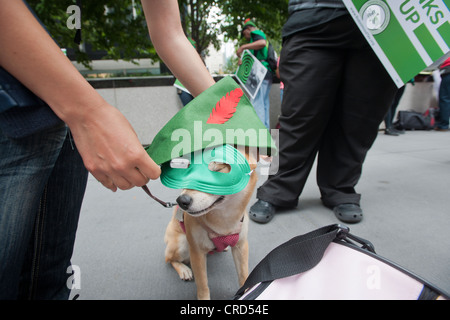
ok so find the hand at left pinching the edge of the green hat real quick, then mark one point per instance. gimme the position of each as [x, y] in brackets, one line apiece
[111, 150]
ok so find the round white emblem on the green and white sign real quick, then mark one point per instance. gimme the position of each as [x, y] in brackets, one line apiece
[375, 15]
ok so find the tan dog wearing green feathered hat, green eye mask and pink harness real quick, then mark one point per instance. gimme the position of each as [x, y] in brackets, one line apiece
[197, 151]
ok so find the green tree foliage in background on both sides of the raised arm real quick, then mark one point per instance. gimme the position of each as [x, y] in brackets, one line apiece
[119, 27]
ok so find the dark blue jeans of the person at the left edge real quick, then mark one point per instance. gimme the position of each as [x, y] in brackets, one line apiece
[42, 184]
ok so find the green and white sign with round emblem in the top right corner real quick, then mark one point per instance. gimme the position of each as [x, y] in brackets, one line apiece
[408, 36]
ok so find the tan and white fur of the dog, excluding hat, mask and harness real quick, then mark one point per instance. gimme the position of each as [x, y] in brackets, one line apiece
[210, 213]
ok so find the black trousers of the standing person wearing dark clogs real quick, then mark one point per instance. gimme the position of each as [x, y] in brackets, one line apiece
[336, 94]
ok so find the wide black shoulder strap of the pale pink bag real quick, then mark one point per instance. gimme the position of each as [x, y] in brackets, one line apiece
[283, 261]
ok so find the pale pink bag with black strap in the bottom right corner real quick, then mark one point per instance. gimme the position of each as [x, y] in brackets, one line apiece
[328, 264]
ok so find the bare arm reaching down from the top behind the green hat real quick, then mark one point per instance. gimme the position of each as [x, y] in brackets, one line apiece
[166, 33]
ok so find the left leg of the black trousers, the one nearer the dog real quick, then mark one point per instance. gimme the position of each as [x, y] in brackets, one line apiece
[307, 70]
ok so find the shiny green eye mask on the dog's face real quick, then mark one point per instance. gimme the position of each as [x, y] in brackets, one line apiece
[194, 171]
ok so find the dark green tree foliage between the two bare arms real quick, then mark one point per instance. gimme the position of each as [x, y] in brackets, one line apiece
[116, 27]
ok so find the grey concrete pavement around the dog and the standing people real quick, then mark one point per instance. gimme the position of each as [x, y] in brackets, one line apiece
[405, 190]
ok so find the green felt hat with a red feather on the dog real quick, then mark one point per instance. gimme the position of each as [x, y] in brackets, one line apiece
[220, 115]
